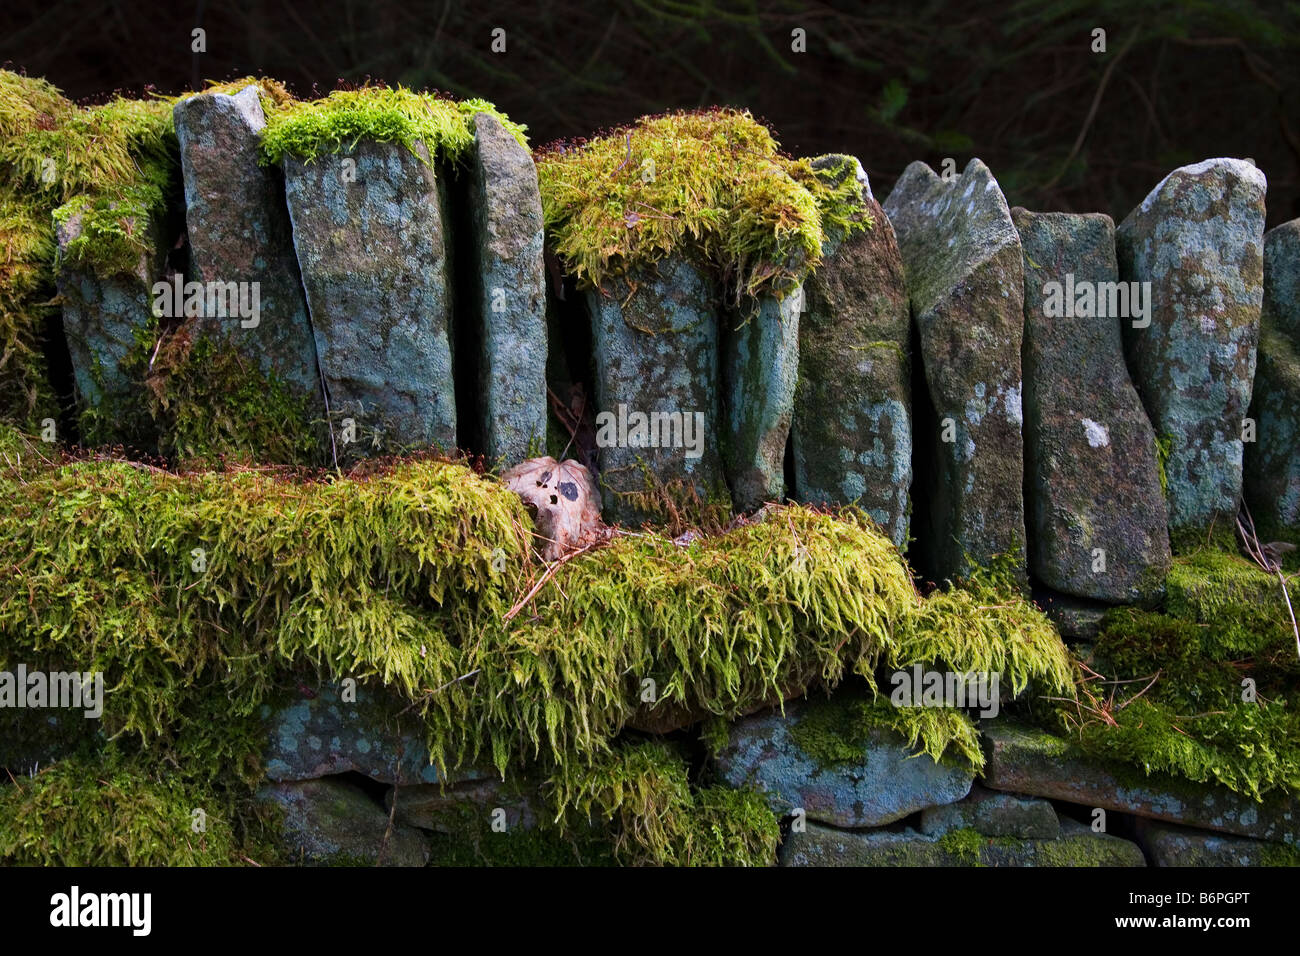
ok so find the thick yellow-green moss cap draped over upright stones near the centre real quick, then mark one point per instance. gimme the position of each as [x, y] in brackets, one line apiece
[710, 184]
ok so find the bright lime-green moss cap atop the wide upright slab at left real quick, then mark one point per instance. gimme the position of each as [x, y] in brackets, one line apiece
[337, 123]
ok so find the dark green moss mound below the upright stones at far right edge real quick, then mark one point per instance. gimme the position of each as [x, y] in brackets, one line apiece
[1206, 691]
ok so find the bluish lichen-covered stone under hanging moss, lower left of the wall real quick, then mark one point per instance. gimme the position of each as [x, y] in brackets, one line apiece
[323, 734]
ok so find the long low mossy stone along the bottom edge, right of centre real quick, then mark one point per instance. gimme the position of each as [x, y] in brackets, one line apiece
[1077, 846]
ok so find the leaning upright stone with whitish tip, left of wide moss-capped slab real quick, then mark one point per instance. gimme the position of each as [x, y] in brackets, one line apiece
[240, 232]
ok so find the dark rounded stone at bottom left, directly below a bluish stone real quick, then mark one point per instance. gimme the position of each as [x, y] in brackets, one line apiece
[335, 823]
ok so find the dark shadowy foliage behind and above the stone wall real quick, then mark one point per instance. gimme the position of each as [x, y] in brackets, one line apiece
[1015, 84]
